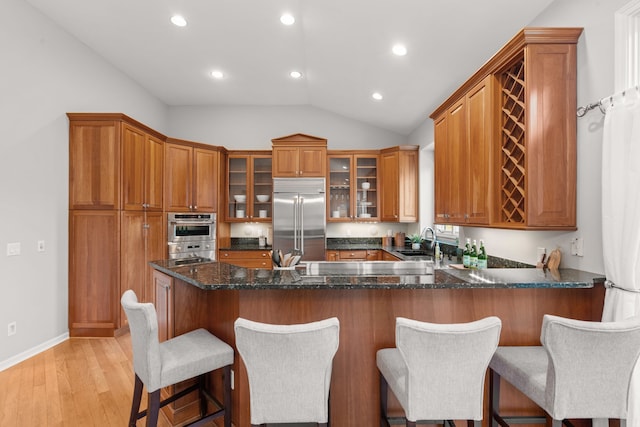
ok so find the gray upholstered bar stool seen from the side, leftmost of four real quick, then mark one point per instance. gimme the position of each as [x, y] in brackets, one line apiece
[158, 365]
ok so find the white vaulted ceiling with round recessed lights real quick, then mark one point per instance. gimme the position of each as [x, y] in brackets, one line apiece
[343, 48]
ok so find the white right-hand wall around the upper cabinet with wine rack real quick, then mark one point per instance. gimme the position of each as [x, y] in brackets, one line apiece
[595, 81]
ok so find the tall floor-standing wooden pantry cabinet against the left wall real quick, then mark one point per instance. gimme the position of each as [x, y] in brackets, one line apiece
[115, 217]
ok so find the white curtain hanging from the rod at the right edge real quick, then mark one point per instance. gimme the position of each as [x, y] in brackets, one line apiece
[621, 219]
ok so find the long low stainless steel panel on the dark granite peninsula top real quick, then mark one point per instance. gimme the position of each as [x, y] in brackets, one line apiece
[368, 268]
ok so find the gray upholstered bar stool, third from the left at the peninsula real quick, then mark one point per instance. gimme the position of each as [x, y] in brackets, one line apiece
[437, 371]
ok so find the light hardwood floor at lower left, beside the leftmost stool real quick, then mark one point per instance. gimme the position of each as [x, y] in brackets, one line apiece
[81, 382]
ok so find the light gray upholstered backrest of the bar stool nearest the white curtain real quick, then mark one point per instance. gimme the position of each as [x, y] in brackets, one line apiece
[590, 366]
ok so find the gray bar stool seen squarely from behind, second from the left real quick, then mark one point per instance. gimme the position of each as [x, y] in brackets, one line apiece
[289, 369]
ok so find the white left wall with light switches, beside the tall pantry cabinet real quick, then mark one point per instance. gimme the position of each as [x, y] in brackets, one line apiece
[45, 73]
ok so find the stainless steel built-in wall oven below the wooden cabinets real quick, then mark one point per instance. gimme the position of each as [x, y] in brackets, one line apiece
[191, 235]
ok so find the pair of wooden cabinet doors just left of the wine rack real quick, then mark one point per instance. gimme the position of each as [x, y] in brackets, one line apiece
[462, 158]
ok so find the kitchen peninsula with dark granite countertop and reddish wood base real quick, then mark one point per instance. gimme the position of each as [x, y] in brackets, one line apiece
[212, 295]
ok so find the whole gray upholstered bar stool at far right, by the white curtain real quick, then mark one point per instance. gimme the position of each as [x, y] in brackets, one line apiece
[581, 371]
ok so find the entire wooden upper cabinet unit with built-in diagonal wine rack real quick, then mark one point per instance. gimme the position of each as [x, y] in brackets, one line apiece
[520, 107]
